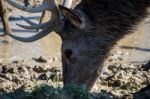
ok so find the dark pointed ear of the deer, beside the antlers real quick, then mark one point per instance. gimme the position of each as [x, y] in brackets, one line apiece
[73, 17]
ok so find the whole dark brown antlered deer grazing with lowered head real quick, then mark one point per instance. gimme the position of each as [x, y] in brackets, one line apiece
[88, 33]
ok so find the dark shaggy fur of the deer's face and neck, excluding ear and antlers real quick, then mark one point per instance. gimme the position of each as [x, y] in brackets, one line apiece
[107, 21]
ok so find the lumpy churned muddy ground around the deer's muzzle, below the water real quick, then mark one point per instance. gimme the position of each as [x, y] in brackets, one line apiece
[118, 81]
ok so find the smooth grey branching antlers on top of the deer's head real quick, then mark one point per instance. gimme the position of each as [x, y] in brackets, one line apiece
[54, 24]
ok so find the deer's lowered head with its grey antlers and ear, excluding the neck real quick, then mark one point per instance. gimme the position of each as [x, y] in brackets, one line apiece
[78, 52]
